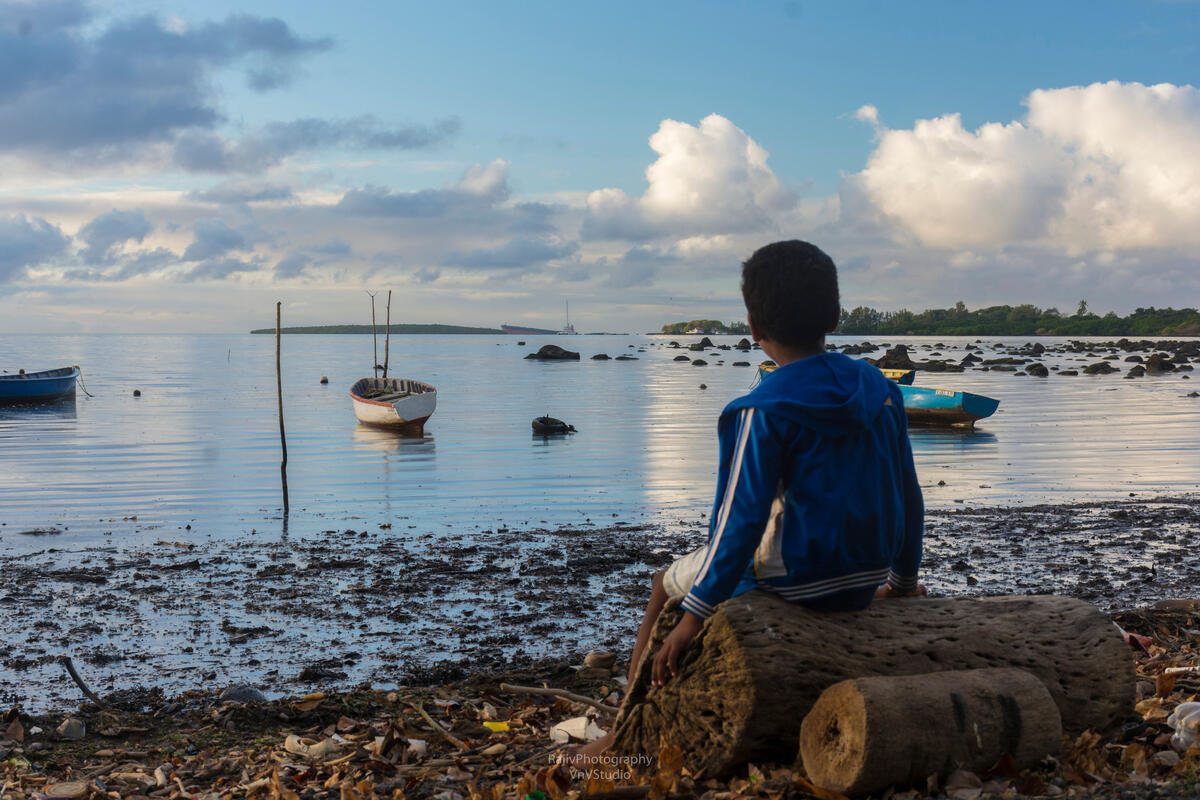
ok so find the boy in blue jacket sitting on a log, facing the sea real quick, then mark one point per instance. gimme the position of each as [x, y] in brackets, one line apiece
[817, 496]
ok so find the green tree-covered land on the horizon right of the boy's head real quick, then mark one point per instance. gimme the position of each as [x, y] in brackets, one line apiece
[1019, 321]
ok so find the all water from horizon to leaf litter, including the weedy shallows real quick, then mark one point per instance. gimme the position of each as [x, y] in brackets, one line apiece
[479, 542]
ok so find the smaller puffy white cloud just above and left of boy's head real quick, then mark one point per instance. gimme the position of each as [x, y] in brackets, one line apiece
[707, 181]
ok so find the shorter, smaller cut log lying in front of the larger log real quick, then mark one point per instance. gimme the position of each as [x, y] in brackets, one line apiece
[867, 735]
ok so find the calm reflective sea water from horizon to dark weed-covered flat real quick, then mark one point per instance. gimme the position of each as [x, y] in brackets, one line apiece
[201, 446]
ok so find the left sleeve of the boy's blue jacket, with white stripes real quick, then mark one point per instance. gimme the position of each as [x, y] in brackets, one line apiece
[743, 512]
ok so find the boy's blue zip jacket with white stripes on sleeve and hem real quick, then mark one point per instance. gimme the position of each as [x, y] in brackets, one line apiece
[817, 496]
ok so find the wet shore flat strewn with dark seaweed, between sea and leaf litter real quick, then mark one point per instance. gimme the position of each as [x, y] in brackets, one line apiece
[389, 607]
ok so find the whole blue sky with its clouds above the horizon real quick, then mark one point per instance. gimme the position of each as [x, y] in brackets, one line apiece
[490, 160]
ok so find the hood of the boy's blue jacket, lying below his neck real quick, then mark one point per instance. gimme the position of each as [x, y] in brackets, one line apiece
[830, 393]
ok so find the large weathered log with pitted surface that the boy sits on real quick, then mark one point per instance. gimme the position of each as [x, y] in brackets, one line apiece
[759, 665]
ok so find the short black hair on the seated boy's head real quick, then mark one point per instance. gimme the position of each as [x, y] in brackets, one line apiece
[791, 292]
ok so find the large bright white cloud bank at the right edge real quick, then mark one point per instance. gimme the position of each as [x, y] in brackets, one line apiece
[1106, 167]
